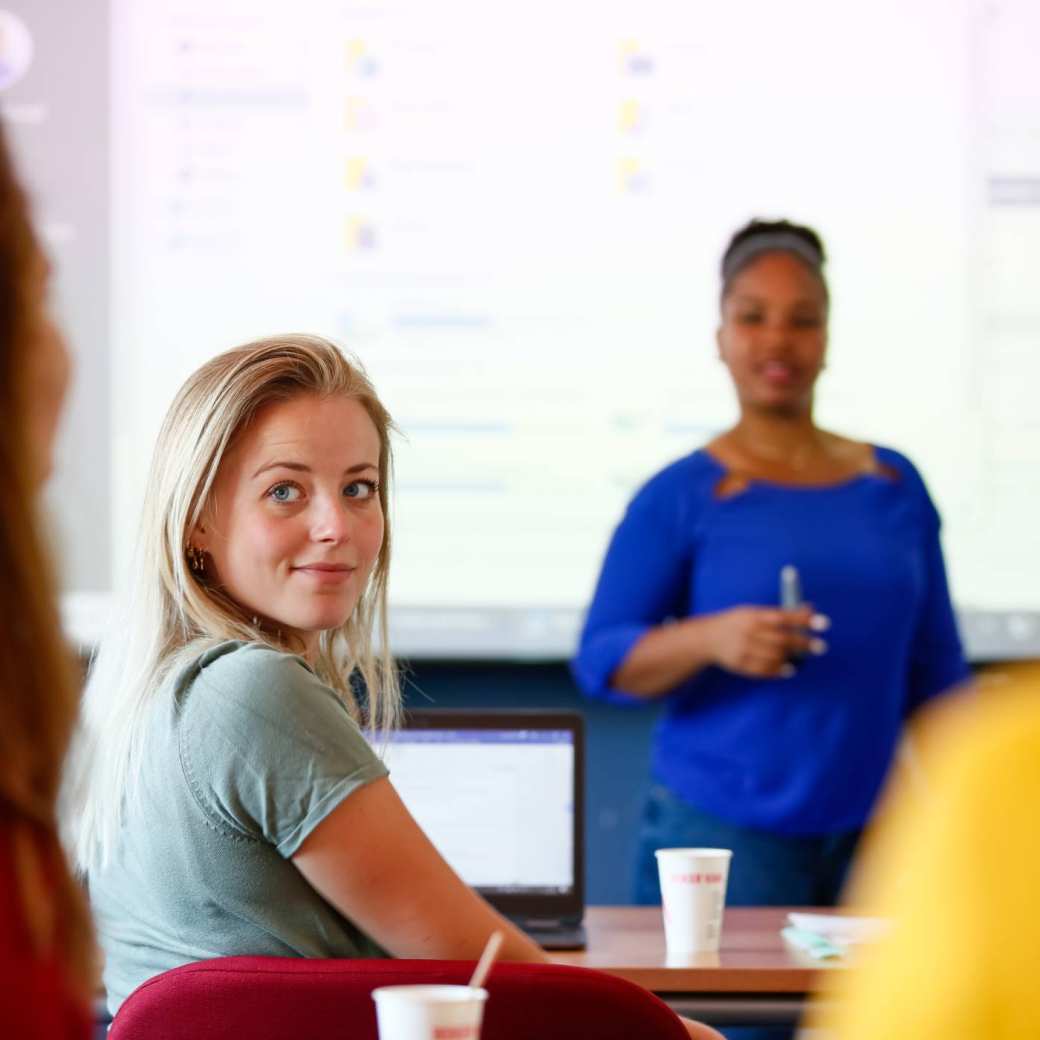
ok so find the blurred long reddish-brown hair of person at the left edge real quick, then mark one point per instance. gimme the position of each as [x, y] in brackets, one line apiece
[38, 682]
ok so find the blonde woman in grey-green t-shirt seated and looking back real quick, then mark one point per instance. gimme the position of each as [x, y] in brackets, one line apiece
[225, 800]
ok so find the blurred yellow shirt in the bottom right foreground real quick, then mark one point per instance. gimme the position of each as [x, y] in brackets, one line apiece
[958, 872]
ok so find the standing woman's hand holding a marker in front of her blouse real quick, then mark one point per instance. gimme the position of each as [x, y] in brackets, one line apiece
[760, 641]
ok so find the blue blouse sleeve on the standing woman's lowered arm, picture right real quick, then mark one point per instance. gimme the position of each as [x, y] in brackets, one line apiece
[937, 657]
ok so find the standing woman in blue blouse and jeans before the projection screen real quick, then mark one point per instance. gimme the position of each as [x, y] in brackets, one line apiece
[781, 721]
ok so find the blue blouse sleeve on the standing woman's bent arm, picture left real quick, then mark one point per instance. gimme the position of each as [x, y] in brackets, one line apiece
[642, 584]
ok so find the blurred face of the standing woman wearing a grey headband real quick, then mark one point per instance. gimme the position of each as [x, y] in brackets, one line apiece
[773, 335]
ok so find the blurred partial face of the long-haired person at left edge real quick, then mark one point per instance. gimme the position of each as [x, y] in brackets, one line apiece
[45, 374]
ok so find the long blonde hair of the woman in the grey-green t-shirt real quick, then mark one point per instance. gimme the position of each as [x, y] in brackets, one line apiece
[171, 616]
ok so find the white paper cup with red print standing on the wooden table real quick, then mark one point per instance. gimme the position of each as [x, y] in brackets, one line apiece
[693, 894]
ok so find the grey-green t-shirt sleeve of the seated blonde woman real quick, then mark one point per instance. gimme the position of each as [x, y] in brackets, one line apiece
[269, 750]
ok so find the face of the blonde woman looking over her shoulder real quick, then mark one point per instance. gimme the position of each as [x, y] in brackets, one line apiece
[295, 526]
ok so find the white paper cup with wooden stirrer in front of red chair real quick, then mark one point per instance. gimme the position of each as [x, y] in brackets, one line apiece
[429, 1012]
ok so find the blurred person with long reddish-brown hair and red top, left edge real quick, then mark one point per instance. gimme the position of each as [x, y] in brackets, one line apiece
[46, 946]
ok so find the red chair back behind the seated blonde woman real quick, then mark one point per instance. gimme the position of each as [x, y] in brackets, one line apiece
[290, 999]
